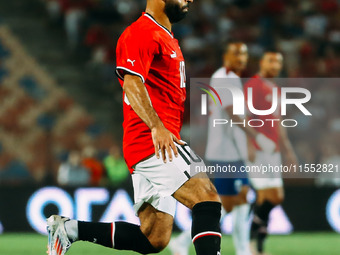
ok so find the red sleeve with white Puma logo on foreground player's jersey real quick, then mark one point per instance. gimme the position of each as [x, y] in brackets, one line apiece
[134, 54]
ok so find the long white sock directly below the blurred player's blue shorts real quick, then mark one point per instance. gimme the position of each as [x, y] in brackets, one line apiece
[240, 218]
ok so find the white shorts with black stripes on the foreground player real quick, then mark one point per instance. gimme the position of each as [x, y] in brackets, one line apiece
[154, 181]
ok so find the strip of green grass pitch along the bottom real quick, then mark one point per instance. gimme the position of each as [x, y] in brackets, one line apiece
[295, 244]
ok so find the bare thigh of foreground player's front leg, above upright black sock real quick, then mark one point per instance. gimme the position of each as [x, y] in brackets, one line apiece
[196, 190]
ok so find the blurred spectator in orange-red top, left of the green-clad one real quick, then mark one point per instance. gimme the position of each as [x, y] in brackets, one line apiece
[93, 165]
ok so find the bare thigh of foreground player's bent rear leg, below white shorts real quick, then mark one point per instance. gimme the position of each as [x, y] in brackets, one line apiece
[155, 225]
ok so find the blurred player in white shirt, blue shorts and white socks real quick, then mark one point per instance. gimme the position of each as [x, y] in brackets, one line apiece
[227, 147]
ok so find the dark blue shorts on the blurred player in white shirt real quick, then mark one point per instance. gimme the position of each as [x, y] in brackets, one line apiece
[231, 183]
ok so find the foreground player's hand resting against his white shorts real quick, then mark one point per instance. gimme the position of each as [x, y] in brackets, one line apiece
[163, 141]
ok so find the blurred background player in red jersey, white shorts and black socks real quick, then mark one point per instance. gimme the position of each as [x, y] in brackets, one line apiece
[269, 188]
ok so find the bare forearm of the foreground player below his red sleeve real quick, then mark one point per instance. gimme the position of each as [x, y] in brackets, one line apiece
[140, 102]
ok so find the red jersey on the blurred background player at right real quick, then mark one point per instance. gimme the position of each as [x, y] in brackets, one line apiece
[262, 100]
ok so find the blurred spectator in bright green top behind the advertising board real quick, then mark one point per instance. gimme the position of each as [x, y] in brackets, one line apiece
[115, 166]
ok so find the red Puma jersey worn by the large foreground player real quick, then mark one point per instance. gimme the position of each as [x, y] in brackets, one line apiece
[150, 51]
